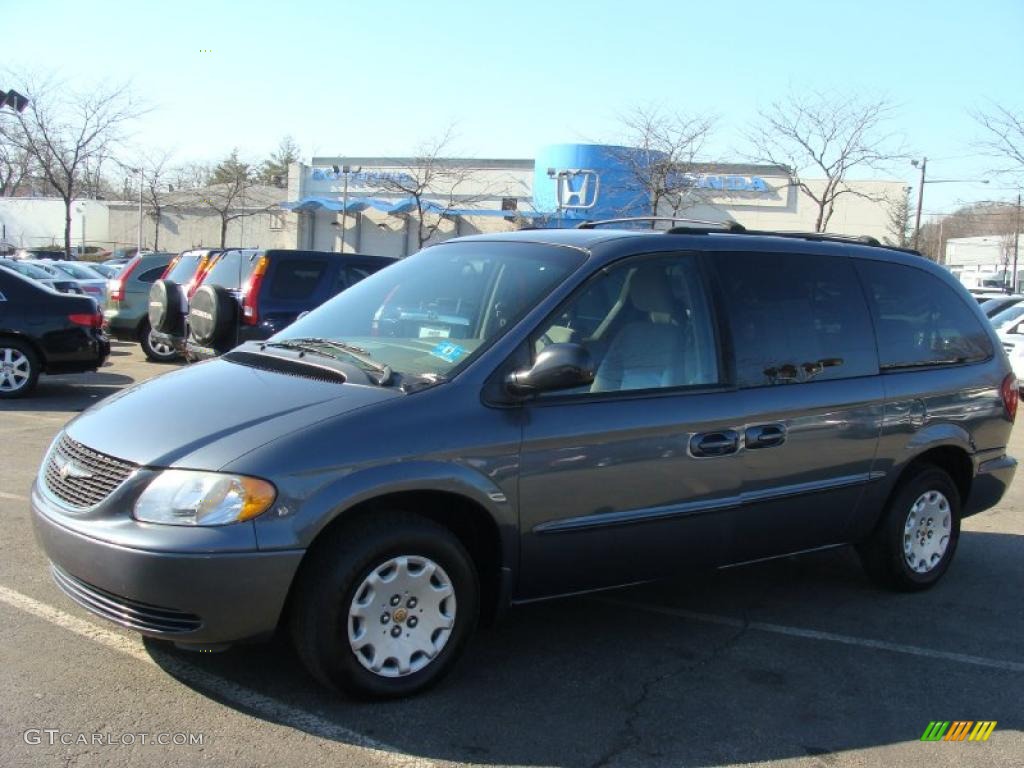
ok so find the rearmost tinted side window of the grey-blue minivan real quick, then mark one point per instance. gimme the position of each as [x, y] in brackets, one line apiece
[920, 320]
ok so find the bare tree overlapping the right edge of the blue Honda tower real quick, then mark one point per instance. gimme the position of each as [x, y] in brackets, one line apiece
[664, 150]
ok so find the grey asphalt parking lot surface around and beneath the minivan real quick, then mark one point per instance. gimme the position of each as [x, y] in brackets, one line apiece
[797, 662]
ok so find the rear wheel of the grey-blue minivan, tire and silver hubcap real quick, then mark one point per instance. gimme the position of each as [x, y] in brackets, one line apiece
[917, 539]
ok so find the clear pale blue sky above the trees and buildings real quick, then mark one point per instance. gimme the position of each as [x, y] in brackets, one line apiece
[370, 78]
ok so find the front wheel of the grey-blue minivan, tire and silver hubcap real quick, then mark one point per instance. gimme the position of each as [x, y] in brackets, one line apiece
[385, 608]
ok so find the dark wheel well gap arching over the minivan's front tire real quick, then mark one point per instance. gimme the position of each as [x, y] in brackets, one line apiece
[471, 523]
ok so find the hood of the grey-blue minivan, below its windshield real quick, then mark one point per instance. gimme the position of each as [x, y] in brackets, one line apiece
[210, 414]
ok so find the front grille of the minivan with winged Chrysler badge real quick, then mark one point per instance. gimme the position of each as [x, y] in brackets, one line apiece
[82, 478]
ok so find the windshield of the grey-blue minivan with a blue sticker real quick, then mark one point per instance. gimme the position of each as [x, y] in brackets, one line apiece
[430, 314]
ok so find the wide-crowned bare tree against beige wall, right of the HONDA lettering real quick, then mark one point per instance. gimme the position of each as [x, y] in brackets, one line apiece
[829, 137]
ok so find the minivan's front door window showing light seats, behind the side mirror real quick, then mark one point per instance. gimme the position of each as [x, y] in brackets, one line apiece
[647, 323]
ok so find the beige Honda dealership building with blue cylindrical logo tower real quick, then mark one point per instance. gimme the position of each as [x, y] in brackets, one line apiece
[372, 205]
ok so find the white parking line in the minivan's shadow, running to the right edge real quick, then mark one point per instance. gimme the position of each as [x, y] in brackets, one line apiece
[864, 643]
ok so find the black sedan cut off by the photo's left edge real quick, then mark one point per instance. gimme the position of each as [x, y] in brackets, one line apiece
[45, 332]
